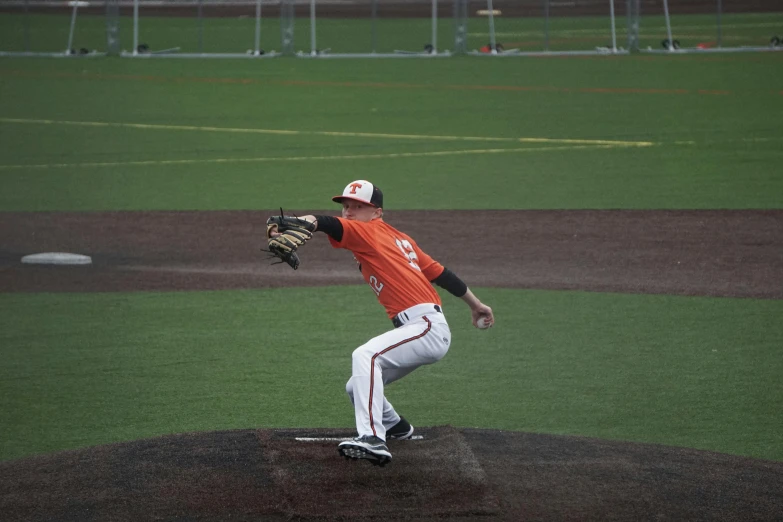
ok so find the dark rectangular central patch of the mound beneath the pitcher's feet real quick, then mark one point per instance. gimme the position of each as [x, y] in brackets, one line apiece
[438, 477]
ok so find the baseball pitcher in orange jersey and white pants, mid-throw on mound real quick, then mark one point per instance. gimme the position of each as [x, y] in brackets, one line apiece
[400, 274]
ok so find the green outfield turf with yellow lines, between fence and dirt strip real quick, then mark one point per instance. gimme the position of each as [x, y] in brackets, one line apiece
[656, 132]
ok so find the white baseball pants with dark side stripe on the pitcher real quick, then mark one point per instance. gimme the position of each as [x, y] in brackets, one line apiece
[424, 338]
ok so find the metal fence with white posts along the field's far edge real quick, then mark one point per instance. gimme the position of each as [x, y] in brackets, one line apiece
[389, 28]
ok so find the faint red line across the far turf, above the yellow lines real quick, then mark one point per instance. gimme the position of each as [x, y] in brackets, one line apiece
[379, 85]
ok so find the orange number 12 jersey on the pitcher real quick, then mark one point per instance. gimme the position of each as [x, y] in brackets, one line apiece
[394, 266]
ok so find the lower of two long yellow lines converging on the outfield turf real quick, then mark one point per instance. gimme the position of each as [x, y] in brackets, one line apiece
[299, 158]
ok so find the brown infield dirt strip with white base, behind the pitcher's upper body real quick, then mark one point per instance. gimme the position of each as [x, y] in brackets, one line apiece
[711, 253]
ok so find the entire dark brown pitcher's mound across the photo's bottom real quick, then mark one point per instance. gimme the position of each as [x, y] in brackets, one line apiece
[454, 474]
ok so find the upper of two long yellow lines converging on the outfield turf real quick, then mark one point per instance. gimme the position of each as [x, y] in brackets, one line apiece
[418, 137]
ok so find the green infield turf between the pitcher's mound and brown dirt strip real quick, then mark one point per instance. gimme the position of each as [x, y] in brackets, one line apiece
[95, 368]
